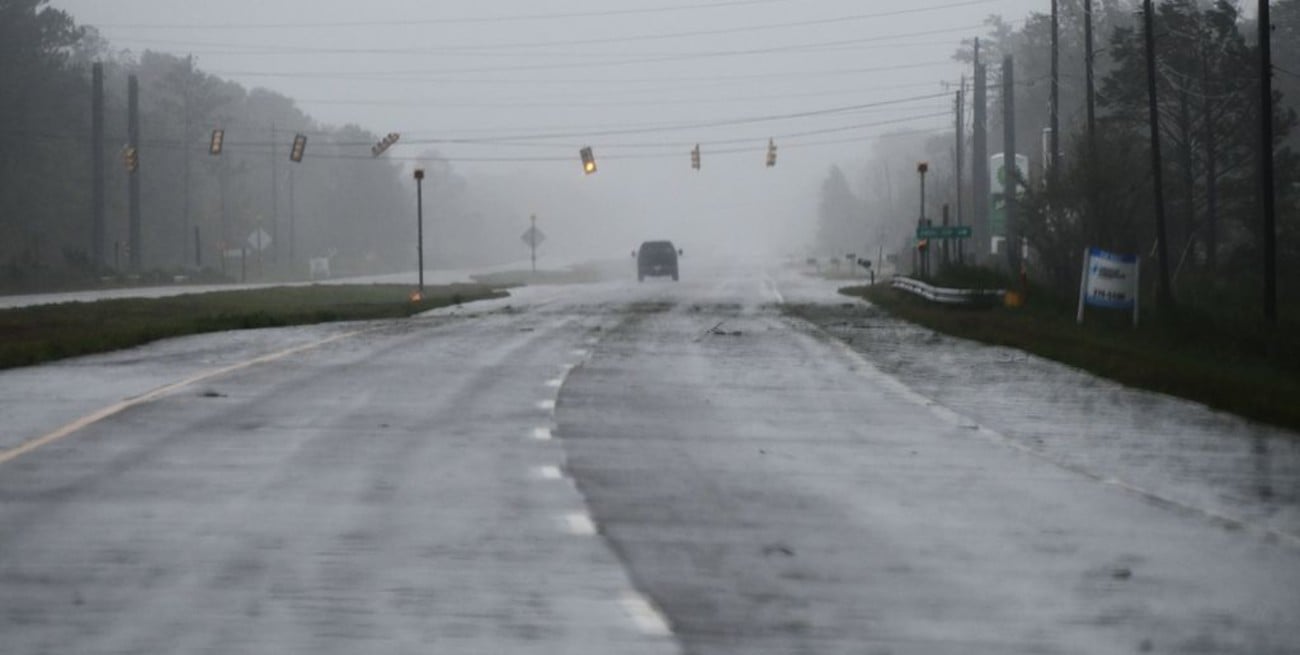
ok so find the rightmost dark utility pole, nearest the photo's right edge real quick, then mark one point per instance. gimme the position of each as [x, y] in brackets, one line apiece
[1268, 196]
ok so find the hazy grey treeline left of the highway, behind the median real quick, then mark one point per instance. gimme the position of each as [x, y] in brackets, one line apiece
[337, 203]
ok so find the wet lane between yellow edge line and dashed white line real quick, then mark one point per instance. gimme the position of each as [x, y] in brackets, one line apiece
[393, 492]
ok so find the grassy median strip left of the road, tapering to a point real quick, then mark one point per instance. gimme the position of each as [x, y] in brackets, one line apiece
[36, 335]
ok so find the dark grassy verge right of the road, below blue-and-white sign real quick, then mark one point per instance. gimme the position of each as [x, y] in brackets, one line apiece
[1243, 371]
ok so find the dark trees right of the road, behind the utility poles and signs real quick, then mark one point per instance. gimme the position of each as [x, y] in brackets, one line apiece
[1210, 116]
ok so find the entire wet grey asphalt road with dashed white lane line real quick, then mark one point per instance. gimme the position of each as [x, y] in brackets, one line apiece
[592, 470]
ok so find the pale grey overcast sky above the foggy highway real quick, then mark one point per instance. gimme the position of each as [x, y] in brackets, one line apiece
[640, 81]
